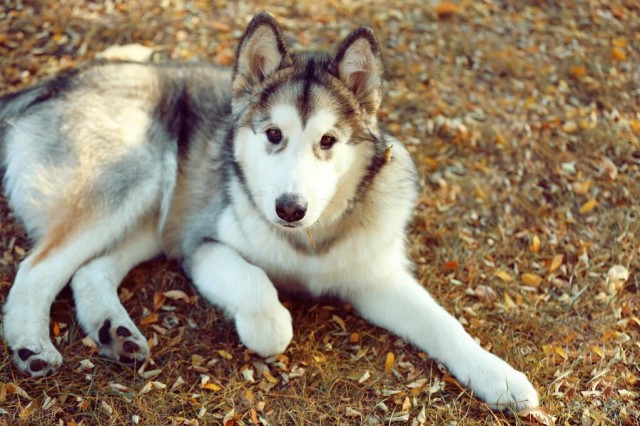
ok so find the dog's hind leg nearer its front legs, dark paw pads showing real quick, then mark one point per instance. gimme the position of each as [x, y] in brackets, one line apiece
[95, 291]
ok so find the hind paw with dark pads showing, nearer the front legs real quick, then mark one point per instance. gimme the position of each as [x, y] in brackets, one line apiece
[121, 341]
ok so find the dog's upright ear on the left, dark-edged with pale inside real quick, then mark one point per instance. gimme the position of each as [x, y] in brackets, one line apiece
[261, 52]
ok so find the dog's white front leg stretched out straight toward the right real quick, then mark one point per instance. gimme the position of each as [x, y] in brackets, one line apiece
[404, 307]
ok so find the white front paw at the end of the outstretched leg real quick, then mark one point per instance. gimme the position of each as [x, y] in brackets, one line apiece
[500, 385]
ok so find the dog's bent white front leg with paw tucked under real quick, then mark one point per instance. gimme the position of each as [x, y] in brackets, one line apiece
[245, 292]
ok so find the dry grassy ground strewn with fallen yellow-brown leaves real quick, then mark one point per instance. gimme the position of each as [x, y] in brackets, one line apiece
[523, 119]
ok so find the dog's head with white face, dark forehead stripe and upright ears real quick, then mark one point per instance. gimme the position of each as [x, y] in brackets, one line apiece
[306, 135]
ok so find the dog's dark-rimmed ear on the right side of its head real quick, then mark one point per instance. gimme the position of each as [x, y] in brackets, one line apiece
[358, 63]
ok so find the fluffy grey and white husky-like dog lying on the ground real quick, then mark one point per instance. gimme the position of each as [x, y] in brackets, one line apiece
[273, 175]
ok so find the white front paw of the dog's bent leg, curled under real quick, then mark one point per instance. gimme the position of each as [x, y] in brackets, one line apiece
[267, 332]
